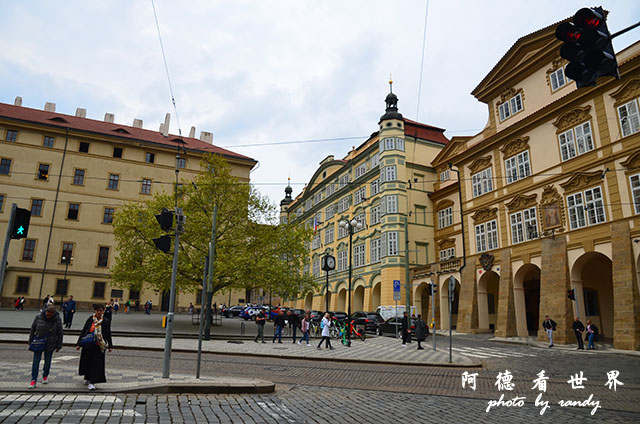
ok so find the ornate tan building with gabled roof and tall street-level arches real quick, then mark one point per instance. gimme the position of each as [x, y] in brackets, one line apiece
[550, 193]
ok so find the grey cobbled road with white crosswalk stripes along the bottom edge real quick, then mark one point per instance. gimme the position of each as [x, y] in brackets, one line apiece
[289, 404]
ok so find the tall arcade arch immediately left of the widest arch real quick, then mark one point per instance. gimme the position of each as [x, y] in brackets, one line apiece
[526, 294]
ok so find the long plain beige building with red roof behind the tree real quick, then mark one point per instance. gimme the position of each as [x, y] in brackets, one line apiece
[73, 173]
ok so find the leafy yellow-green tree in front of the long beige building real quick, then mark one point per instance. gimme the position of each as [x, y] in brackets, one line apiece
[252, 248]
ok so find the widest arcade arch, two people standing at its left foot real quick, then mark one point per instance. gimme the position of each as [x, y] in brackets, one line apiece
[592, 279]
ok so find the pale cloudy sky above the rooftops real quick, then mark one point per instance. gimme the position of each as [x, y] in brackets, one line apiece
[267, 71]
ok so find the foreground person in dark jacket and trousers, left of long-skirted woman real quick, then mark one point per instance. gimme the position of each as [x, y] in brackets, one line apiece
[45, 337]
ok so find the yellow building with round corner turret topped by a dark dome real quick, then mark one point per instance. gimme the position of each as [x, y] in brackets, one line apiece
[383, 184]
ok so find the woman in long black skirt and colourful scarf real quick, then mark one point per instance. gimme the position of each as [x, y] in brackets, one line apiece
[92, 357]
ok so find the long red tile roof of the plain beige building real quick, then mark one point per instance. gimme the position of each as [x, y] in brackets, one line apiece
[25, 114]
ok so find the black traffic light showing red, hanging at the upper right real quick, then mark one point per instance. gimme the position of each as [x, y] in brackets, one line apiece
[587, 46]
